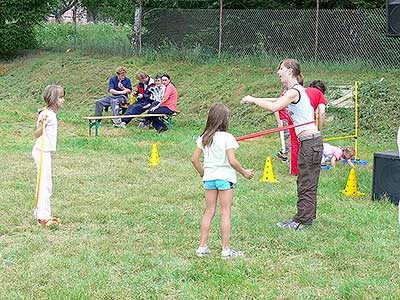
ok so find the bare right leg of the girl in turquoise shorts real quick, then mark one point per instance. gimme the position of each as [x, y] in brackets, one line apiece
[225, 198]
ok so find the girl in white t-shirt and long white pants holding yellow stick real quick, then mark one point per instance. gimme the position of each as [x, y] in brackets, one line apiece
[44, 146]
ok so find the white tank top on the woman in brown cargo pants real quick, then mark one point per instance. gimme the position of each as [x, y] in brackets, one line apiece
[301, 111]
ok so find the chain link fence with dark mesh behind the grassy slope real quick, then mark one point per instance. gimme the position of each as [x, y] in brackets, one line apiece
[335, 36]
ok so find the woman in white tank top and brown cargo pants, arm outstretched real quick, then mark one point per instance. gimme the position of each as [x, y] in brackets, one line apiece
[310, 153]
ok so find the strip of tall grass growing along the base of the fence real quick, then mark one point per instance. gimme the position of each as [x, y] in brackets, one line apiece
[107, 38]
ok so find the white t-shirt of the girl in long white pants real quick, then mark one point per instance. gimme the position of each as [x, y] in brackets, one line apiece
[50, 141]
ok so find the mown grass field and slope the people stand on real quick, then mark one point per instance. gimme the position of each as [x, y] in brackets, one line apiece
[129, 231]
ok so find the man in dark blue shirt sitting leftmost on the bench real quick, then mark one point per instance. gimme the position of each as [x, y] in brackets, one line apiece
[119, 87]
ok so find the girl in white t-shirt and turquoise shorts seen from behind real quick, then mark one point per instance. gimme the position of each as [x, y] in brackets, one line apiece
[219, 176]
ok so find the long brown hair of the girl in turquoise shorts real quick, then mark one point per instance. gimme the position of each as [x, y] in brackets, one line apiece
[218, 120]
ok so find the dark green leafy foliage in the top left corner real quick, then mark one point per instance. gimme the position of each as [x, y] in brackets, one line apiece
[17, 21]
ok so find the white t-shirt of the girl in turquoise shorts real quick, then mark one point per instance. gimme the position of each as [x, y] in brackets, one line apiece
[216, 165]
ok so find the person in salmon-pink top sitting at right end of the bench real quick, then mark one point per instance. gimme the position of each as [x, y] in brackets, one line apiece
[166, 106]
